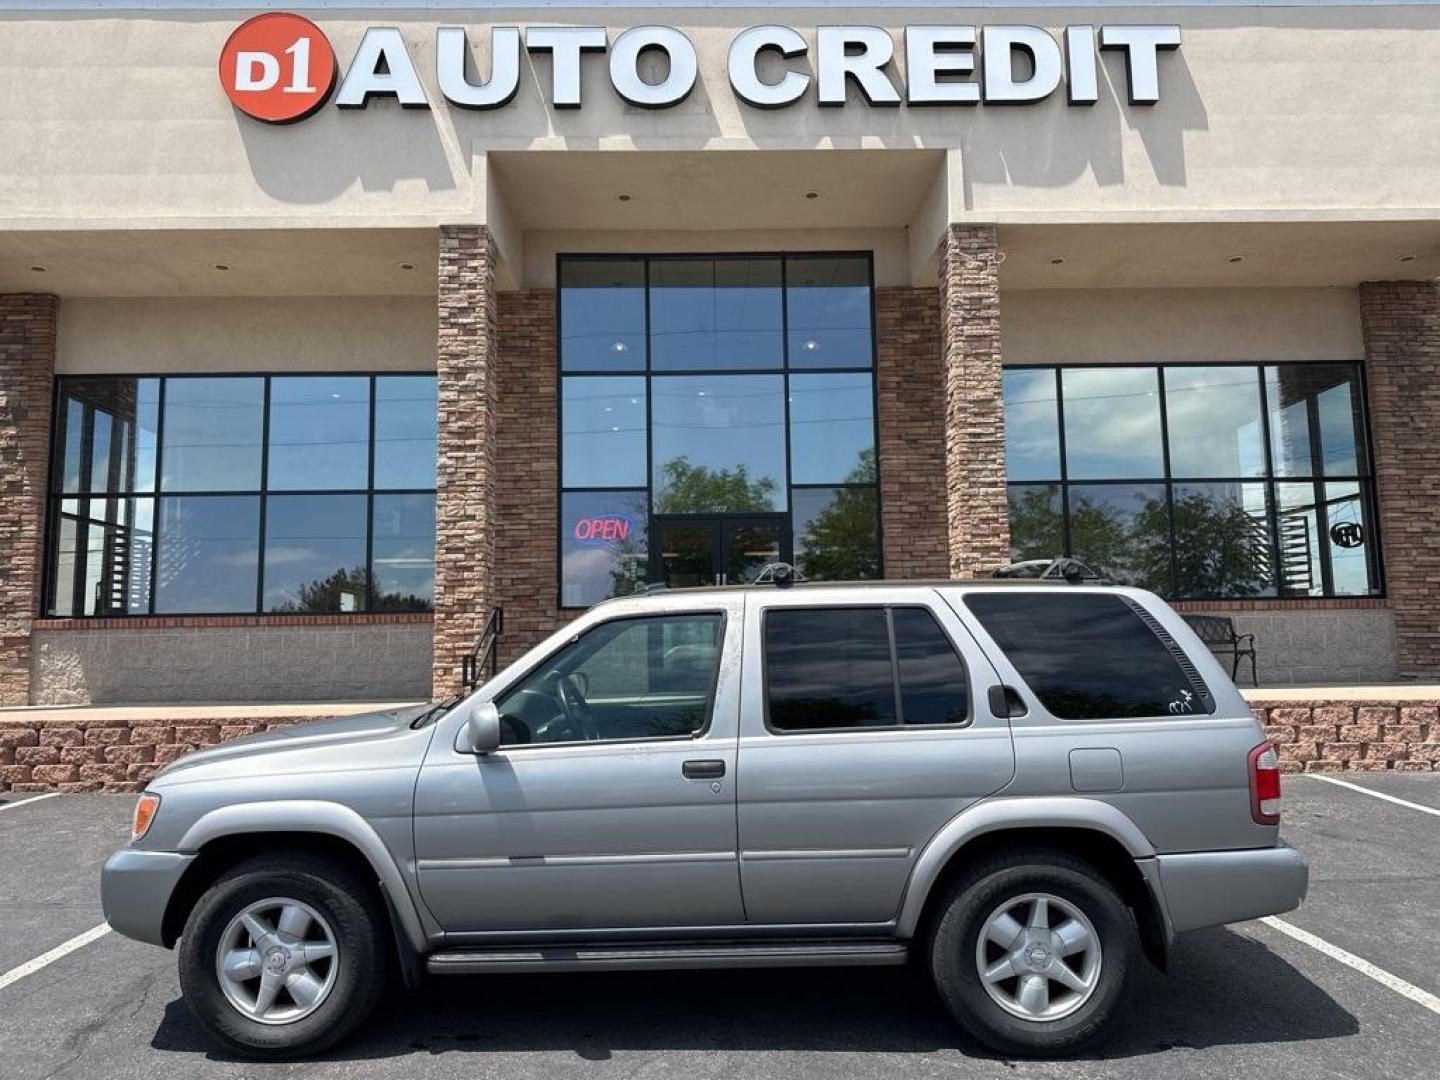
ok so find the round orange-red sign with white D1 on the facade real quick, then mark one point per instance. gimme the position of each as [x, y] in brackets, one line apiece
[279, 68]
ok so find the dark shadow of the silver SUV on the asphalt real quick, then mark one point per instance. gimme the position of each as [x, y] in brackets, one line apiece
[1223, 990]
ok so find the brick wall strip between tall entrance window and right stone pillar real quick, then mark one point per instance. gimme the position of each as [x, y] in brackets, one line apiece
[911, 387]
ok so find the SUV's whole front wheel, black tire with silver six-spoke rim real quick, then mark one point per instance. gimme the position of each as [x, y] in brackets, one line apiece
[284, 955]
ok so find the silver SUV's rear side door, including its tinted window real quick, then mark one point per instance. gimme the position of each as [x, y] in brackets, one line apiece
[865, 728]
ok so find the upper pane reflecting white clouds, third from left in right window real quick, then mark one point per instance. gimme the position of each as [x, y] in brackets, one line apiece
[1215, 421]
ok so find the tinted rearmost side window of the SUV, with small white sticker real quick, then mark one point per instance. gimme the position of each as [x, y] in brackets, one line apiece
[1092, 657]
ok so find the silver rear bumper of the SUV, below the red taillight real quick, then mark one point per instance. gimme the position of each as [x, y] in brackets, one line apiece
[1213, 888]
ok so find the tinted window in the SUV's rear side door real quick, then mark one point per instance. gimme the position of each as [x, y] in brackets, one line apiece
[860, 667]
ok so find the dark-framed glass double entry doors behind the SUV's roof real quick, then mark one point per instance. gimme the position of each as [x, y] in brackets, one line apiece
[716, 551]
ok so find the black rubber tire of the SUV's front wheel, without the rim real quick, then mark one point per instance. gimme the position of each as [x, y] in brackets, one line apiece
[349, 904]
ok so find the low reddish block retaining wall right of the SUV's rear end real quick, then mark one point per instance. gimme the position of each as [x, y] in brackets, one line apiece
[1357, 737]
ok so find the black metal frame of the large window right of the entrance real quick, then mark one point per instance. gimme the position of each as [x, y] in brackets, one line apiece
[1317, 479]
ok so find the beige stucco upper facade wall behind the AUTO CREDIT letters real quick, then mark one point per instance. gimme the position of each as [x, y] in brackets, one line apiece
[1327, 110]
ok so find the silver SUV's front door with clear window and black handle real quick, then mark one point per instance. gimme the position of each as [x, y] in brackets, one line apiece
[611, 803]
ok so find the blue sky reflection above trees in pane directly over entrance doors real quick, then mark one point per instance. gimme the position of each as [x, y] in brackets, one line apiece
[721, 424]
